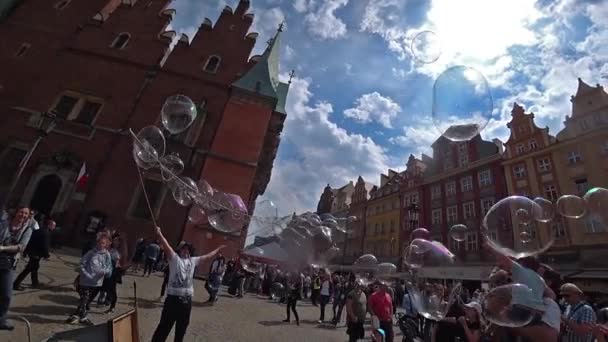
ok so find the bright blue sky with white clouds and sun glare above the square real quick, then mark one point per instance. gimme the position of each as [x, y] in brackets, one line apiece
[360, 103]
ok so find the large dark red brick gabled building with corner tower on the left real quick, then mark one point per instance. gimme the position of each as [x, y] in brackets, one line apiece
[105, 66]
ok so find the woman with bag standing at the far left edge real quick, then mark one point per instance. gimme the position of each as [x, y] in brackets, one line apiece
[14, 237]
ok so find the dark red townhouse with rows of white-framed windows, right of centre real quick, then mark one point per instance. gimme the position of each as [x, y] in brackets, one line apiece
[462, 182]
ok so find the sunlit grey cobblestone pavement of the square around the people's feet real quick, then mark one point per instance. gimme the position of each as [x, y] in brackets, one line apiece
[231, 319]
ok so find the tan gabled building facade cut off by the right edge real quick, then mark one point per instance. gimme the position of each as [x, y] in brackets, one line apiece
[581, 158]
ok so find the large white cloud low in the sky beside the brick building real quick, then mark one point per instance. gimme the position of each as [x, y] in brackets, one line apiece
[325, 153]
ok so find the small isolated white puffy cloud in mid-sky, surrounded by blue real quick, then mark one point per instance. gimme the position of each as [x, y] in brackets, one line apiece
[374, 107]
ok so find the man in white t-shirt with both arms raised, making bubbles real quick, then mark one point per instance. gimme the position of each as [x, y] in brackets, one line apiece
[178, 304]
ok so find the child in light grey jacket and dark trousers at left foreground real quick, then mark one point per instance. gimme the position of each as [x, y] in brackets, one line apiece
[94, 266]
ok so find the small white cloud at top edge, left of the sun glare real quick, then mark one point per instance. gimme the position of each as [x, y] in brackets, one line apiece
[323, 23]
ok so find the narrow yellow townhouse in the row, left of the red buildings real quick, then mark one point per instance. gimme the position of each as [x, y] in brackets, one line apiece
[382, 219]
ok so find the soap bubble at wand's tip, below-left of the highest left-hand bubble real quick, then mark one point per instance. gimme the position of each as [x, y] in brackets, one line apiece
[148, 147]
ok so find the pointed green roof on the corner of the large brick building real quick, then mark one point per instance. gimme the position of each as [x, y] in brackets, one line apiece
[263, 77]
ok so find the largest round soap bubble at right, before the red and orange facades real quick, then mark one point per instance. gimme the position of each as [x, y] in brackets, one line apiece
[508, 219]
